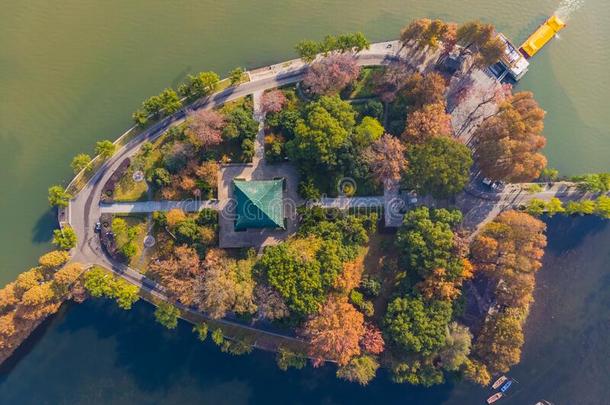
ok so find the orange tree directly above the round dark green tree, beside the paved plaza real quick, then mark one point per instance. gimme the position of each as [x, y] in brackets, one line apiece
[428, 122]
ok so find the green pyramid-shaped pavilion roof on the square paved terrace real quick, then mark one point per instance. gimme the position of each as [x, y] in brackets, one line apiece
[259, 204]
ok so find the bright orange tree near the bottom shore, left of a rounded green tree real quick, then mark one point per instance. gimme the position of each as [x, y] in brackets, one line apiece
[335, 332]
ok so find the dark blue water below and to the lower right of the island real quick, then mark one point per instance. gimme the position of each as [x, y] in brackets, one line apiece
[95, 353]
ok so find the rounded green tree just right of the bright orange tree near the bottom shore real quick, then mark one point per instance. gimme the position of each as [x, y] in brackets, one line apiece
[417, 327]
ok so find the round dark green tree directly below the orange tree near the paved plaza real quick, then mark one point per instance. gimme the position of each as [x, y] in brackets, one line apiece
[439, 167]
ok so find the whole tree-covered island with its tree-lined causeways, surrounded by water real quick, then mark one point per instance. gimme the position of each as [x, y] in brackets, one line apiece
[367, 205]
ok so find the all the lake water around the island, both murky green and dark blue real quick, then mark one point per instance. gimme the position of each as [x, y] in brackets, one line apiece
[72, 72]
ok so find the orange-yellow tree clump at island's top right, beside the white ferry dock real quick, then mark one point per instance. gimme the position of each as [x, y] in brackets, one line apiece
[482, 40]
